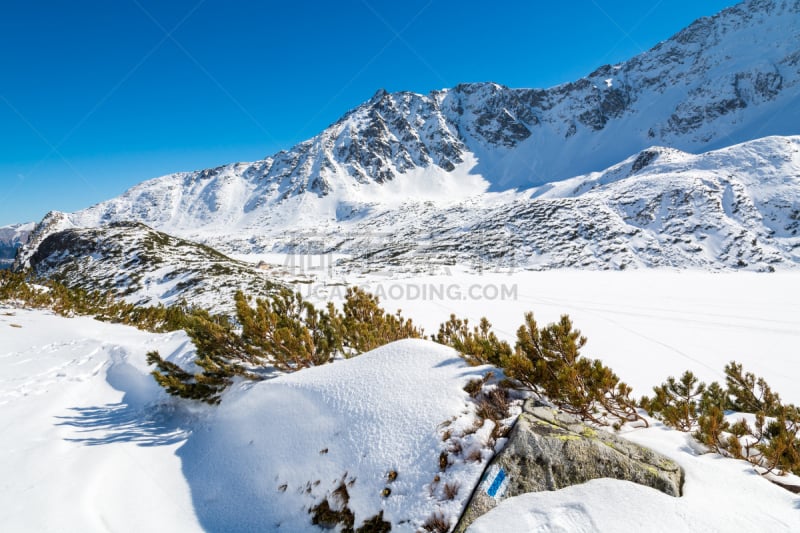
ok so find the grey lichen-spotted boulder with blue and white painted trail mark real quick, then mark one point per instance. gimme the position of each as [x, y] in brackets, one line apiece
[549, 450]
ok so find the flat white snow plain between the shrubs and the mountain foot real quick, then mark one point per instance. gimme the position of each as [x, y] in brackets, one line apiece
[646, 325]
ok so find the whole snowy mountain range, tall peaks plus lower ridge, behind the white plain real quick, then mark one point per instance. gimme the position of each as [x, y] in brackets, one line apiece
[484, 173]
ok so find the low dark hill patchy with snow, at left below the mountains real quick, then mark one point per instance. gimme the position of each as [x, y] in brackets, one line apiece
[144, 266]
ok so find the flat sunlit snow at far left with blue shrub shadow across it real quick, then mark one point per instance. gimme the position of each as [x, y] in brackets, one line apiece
[80, 449]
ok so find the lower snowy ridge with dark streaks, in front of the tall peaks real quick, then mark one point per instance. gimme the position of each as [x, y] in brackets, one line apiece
[734, 208]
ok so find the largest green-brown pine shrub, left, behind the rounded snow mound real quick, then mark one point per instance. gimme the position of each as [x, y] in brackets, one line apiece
[282, 332]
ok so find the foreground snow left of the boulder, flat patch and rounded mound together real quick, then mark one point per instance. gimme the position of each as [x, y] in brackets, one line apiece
[90, 443]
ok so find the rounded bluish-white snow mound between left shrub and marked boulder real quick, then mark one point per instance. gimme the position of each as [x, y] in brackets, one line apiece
[348, 424]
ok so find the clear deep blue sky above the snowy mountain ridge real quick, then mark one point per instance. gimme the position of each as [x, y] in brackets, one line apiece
[96, 96]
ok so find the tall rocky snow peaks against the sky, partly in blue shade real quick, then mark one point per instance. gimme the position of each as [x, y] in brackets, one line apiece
[725, 79]
